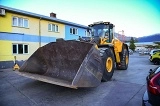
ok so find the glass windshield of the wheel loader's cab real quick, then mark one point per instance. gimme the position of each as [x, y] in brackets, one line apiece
[100, 30]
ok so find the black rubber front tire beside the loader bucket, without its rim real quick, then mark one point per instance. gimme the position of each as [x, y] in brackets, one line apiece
[106, 54]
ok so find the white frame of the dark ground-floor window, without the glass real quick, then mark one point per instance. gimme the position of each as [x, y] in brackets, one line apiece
[17, 48]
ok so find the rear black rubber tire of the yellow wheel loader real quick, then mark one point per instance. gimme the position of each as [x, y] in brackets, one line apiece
[123, 55]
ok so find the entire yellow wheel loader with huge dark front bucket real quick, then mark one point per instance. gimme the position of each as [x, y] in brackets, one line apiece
[76, 64]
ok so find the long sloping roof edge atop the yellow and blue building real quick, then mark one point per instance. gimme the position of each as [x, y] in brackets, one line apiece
[41, 16]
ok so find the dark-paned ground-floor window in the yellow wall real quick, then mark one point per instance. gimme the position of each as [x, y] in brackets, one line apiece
[20, 48]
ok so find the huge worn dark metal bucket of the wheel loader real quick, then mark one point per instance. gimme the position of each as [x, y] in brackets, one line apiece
[66, 63]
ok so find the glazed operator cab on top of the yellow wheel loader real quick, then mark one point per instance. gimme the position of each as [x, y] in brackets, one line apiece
[102, 30]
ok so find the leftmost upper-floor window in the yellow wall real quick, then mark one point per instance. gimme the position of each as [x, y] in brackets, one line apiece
[20, 22]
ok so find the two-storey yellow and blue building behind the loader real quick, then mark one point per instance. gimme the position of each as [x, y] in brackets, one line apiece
[22, 32]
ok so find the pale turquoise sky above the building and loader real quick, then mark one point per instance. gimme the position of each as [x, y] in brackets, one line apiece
[136, 17]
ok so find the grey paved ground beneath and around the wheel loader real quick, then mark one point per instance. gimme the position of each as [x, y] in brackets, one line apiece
[125, 89]
